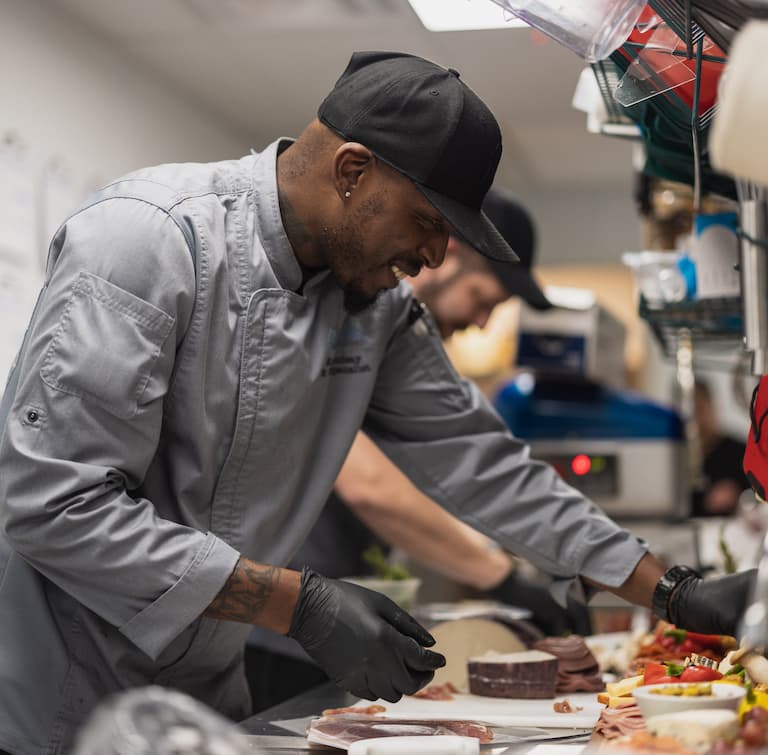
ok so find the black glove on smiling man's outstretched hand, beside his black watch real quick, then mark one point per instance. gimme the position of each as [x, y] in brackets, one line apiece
[711, 606]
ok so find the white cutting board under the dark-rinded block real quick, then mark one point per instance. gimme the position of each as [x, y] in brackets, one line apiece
[499, 711]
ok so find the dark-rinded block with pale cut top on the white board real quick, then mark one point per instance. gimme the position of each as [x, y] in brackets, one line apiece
[531, 674]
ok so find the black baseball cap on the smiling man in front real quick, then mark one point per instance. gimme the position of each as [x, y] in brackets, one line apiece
[425, 122]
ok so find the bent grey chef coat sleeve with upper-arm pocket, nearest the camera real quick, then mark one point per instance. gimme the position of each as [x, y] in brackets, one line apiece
[85, 422]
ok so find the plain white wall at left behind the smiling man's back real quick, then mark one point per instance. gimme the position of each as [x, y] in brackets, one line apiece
[78, 114]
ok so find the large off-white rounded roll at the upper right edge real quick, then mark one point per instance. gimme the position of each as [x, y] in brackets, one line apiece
[738, 137]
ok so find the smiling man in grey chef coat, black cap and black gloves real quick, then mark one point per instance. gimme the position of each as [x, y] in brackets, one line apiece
[209, 339]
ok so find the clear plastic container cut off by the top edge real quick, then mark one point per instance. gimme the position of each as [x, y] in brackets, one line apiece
[593, 29]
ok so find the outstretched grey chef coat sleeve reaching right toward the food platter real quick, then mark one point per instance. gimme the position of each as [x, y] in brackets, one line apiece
[442, 432]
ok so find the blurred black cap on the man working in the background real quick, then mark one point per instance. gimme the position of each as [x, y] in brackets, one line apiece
[514, 223]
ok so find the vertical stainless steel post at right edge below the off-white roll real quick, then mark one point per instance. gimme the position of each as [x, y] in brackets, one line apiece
[754, 281]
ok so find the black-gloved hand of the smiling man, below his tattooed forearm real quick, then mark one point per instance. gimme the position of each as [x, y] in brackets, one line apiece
[366, 643]
